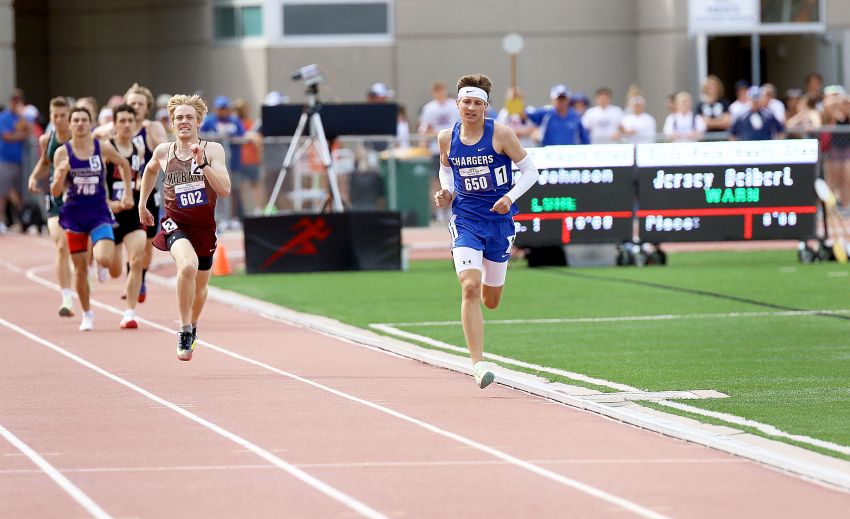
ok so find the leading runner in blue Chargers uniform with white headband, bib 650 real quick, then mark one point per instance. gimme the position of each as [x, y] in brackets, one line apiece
[476, 178]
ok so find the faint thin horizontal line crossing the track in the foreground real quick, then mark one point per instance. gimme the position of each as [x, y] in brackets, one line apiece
[382, 465]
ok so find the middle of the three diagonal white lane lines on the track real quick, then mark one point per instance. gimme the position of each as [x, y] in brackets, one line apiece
[304, 477]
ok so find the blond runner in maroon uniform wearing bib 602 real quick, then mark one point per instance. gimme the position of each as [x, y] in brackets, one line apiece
[195, 176]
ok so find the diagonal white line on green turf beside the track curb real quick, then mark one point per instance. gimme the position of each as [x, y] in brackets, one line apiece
[767, 429]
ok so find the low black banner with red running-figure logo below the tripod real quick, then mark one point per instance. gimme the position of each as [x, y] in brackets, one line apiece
[323, 242]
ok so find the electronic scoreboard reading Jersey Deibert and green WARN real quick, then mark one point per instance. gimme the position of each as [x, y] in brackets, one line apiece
[714, 191]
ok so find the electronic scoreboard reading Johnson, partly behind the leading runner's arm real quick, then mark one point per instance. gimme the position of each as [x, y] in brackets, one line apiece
[584, 194]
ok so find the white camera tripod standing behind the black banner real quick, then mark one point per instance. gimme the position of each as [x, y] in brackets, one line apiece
[316, 137]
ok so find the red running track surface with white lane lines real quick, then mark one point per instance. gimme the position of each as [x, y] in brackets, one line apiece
[402, 438]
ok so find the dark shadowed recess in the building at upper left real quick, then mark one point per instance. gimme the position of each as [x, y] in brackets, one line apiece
[100, 47]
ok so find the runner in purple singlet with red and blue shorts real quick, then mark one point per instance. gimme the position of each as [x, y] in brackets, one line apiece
[80, 179]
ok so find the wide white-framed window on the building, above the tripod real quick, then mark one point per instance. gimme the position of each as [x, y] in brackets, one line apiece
[351, 18]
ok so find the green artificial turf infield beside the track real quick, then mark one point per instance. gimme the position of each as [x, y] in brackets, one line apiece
[779, 368]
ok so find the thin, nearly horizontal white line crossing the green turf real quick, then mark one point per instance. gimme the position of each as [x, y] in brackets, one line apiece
[630, 318]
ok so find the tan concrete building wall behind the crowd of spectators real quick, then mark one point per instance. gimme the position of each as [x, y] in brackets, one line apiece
[99, 47]
